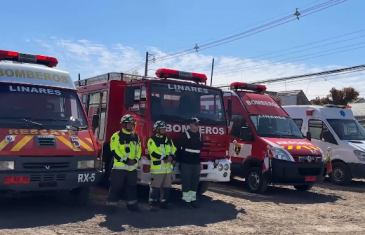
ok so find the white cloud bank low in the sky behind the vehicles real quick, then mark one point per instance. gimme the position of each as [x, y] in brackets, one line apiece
[90, 59]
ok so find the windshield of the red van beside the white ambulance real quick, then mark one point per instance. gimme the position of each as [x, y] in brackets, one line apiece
[276, 126]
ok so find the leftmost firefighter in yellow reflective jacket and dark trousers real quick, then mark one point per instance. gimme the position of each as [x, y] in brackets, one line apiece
[125, 146]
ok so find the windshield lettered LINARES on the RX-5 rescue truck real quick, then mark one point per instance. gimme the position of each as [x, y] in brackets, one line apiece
[40, 107]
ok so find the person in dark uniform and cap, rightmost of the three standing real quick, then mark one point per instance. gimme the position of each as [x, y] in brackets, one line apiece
[189, 146]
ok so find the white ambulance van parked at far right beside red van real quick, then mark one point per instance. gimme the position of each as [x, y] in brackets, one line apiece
[334, 126]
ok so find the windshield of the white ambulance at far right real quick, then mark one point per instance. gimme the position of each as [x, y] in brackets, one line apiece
[347, 129]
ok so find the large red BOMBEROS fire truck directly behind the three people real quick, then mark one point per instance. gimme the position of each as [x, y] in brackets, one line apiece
[174, 96]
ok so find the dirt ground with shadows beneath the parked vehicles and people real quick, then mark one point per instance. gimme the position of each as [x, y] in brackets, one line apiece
[225, 209]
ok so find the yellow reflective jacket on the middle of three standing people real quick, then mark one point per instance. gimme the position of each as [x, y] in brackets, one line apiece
[160, 148]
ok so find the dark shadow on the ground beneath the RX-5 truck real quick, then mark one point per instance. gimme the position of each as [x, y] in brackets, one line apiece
[38, 211]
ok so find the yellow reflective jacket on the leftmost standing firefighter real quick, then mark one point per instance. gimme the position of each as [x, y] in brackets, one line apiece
[125, 146]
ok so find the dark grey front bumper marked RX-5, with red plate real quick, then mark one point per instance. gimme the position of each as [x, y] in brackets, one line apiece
[47, 174]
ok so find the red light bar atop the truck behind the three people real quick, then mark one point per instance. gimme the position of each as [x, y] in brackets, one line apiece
[170, 73]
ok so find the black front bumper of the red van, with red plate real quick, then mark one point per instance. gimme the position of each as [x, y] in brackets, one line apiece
[296, 173]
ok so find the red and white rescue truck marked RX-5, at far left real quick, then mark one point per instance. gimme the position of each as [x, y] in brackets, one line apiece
[46, 142]
